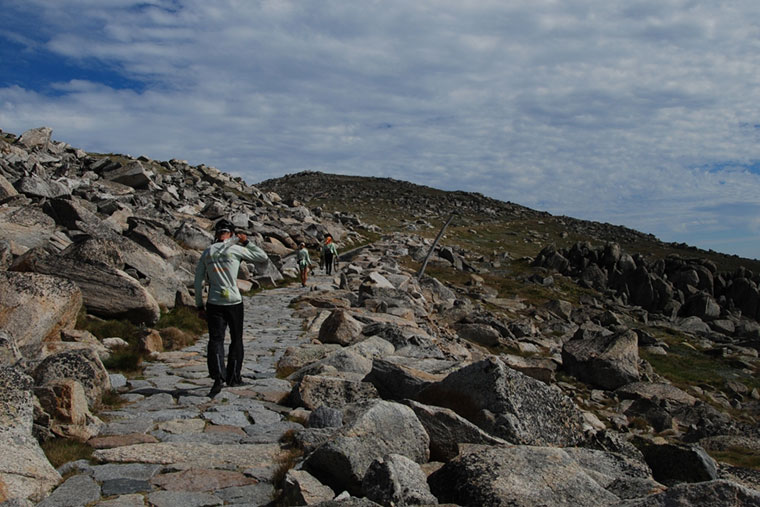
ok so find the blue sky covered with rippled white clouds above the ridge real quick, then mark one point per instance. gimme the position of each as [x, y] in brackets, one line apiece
[638, 113]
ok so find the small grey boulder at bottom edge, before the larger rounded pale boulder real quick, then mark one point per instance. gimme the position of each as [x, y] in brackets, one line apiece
[397, 480]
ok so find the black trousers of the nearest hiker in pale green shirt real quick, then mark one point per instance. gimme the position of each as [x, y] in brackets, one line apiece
[219, 317]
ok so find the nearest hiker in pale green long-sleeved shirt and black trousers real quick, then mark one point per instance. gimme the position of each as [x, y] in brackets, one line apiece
[218, 266]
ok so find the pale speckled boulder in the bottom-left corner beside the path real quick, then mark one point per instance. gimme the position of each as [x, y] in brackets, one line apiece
[25, 472]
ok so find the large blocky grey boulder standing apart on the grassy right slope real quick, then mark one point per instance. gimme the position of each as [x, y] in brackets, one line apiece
[606, 361]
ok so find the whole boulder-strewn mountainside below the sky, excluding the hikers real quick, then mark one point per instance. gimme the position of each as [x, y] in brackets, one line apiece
[533, 349]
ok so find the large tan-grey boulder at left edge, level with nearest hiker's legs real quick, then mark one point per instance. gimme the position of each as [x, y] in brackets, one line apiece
[35, 308]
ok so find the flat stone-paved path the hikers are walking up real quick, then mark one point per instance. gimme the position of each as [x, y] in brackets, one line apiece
[173, 446]
